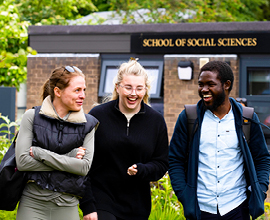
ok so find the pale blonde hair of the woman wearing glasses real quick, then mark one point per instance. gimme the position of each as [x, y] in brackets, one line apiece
[132, 67]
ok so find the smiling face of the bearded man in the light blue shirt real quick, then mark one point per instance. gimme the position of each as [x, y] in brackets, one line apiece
[211, 90]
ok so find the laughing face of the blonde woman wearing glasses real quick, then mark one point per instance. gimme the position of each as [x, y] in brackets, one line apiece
[130, 102]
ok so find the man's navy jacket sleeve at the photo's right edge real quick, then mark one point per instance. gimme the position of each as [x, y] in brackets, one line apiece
[260, 154]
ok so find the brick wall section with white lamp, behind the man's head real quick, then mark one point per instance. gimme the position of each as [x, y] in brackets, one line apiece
[178, 92]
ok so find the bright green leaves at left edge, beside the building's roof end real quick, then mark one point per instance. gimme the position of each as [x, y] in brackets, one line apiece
[13, 46]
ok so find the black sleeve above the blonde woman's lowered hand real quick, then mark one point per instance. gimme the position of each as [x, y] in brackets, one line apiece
[87, 203]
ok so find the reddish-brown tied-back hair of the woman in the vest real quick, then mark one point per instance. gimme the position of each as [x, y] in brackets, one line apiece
[60, 77]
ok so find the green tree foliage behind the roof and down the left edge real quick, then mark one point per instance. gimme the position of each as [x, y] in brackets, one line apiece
[17, 15]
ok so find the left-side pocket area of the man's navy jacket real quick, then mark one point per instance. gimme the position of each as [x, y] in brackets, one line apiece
[189, 201]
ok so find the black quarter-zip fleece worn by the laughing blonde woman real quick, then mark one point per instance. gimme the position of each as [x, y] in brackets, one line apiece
[117, 147]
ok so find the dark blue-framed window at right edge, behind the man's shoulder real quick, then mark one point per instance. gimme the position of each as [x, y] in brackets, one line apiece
[255, 87]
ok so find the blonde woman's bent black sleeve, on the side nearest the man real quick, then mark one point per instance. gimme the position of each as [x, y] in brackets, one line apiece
[158, 165]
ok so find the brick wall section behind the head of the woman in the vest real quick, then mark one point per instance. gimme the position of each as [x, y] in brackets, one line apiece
[40, 68]
